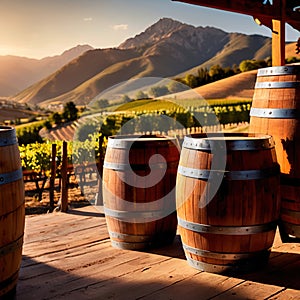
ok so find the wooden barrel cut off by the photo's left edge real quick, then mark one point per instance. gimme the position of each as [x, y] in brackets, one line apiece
[12, 211]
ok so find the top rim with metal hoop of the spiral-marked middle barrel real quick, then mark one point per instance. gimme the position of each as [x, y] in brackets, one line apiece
[126, 141]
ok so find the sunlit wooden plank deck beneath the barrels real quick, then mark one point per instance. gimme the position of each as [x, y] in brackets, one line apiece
[69, 256]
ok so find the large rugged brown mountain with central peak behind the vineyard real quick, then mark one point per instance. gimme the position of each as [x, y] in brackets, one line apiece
[165, 49]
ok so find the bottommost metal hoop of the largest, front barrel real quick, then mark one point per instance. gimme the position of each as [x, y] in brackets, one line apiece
[225, 256]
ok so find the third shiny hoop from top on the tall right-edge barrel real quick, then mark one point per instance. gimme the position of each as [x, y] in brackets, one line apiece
[275, 113]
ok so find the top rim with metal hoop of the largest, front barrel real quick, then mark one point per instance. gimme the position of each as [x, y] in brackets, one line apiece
[232, 141]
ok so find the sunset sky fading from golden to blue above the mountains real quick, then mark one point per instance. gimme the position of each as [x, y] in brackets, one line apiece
[40, 28]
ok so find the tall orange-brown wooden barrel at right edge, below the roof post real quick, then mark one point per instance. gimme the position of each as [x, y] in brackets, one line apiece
[276, 111]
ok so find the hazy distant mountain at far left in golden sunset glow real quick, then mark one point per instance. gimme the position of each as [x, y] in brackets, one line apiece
[17, 73]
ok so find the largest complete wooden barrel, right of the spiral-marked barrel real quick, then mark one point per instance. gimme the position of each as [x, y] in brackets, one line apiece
[233, 229]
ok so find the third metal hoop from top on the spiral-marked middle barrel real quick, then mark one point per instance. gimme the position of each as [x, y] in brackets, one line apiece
[134, 215]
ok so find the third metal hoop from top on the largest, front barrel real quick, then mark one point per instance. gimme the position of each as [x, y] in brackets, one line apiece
[227, 230]
